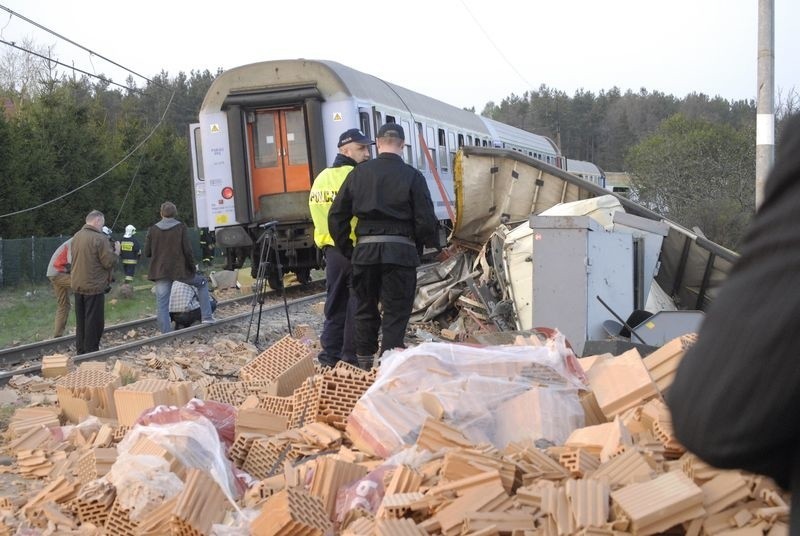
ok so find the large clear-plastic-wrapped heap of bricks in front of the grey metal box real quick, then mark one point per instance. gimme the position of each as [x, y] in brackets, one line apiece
[495, 394]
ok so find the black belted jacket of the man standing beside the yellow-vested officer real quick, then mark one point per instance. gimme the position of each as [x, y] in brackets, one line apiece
[390, 198]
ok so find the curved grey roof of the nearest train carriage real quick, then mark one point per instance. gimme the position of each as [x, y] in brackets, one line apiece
[334, 81]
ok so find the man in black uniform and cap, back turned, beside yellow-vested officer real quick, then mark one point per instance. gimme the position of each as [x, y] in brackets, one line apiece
[395, 220]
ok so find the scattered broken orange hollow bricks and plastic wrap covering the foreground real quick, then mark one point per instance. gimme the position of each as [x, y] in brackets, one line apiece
[522, 439]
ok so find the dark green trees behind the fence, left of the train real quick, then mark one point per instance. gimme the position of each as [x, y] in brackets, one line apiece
[125, 150]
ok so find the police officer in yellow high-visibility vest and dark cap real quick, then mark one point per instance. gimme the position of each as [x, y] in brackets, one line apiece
[338, 338]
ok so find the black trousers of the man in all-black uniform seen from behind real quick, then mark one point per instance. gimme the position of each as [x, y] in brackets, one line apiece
[392, 286]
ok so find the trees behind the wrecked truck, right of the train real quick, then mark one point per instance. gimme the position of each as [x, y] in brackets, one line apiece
[691, 159]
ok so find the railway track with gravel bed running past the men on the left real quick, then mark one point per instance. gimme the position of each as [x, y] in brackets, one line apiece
[135, 334]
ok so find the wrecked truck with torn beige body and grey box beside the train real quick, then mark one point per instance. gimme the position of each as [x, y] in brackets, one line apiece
[535, 247]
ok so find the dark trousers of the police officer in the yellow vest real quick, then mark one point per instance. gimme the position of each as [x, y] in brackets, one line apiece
[338, 333]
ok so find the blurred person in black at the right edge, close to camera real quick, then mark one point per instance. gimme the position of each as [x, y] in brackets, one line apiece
[736, 397]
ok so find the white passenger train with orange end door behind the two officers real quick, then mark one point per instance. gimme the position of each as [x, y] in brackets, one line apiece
[267, 129]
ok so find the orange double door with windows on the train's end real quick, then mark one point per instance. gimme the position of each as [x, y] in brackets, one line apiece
[278, 153]
